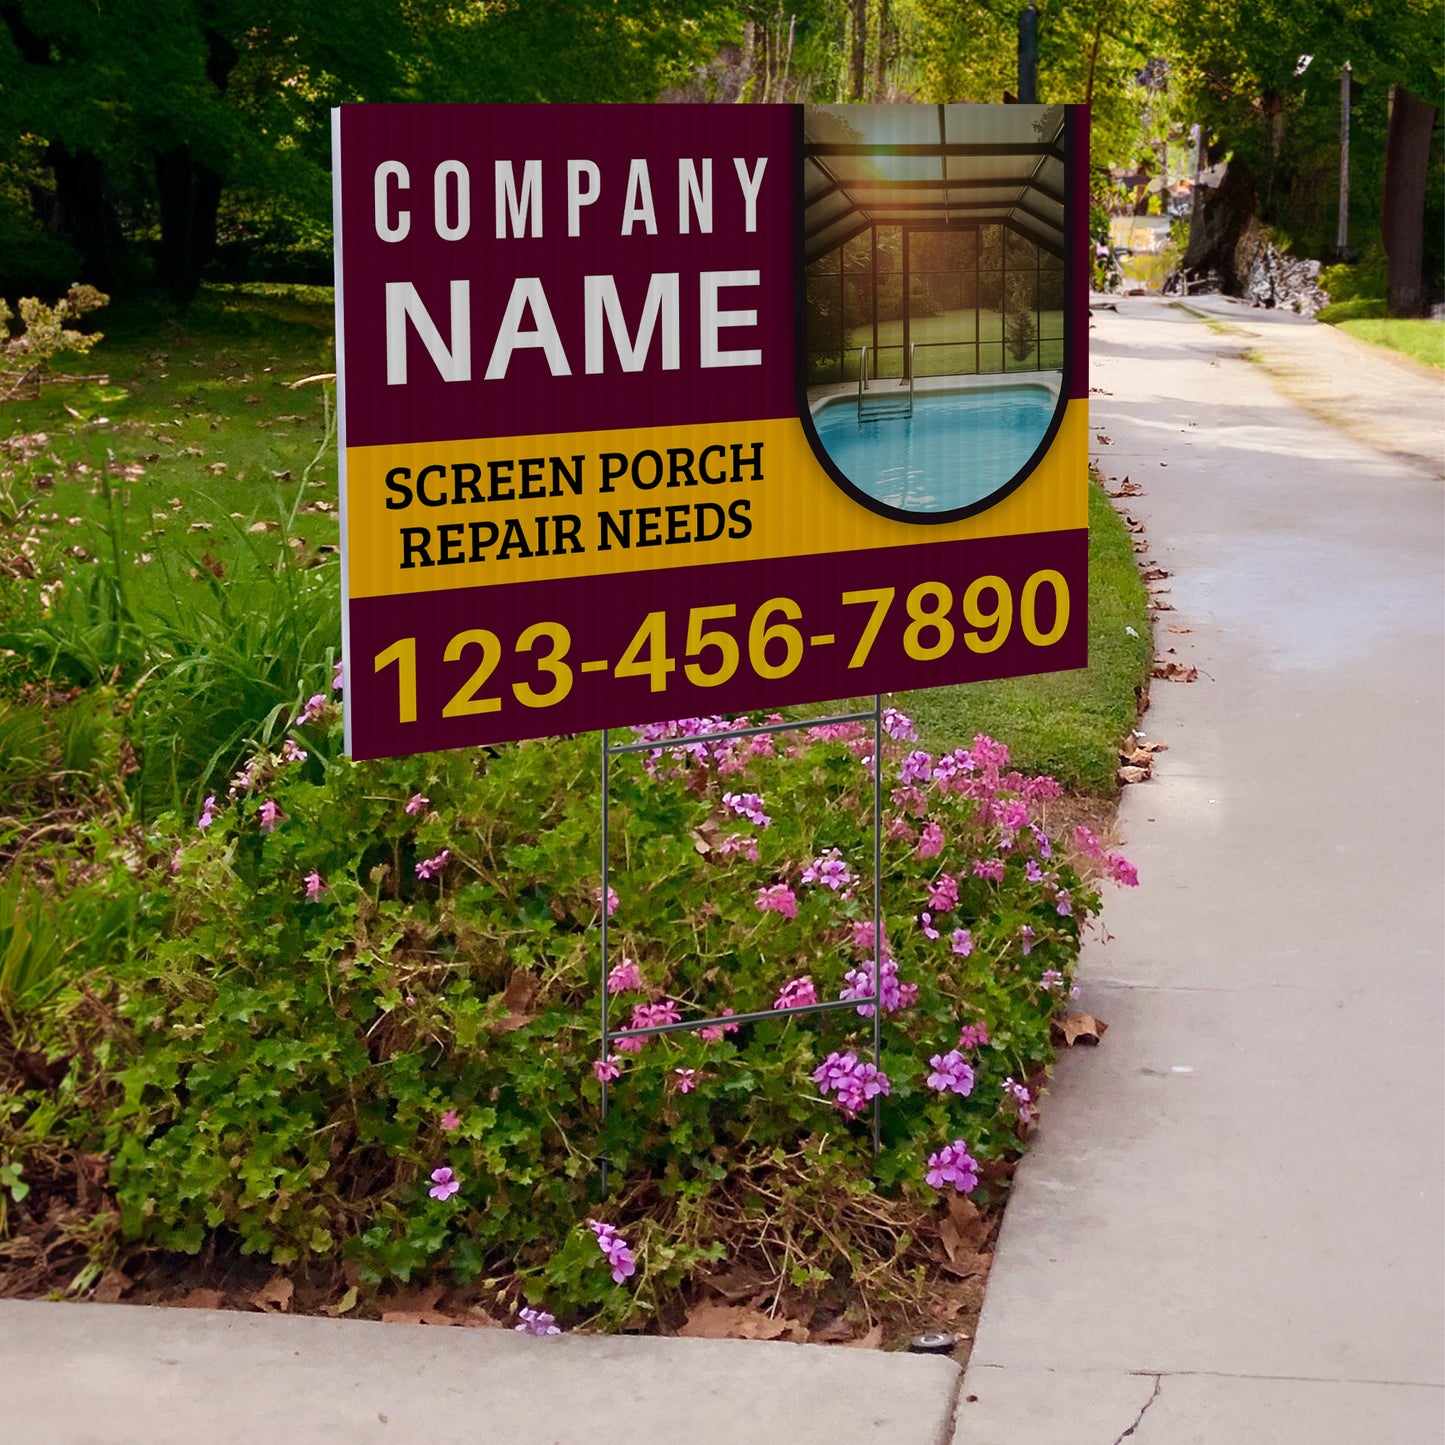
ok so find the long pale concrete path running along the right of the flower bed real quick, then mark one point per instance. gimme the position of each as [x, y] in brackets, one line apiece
[1230, 1229]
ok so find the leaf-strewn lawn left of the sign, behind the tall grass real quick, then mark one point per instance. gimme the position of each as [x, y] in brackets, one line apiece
[202, 437]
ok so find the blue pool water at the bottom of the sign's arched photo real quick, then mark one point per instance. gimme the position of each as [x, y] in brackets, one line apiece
[956, 450]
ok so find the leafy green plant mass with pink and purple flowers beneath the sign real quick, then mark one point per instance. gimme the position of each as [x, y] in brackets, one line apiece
[368, 1018]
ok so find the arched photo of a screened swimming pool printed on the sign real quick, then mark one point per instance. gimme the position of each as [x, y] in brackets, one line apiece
[934, 298]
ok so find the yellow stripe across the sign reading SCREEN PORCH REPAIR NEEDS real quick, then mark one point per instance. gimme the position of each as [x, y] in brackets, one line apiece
[527, 509]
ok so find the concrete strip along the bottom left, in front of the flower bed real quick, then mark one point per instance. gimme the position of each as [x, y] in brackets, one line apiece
[126, 1375]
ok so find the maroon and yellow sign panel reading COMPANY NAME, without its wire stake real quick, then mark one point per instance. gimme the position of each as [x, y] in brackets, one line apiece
[658, 411]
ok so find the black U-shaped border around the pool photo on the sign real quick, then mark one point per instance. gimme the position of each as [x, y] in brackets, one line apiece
[1071, 303]
